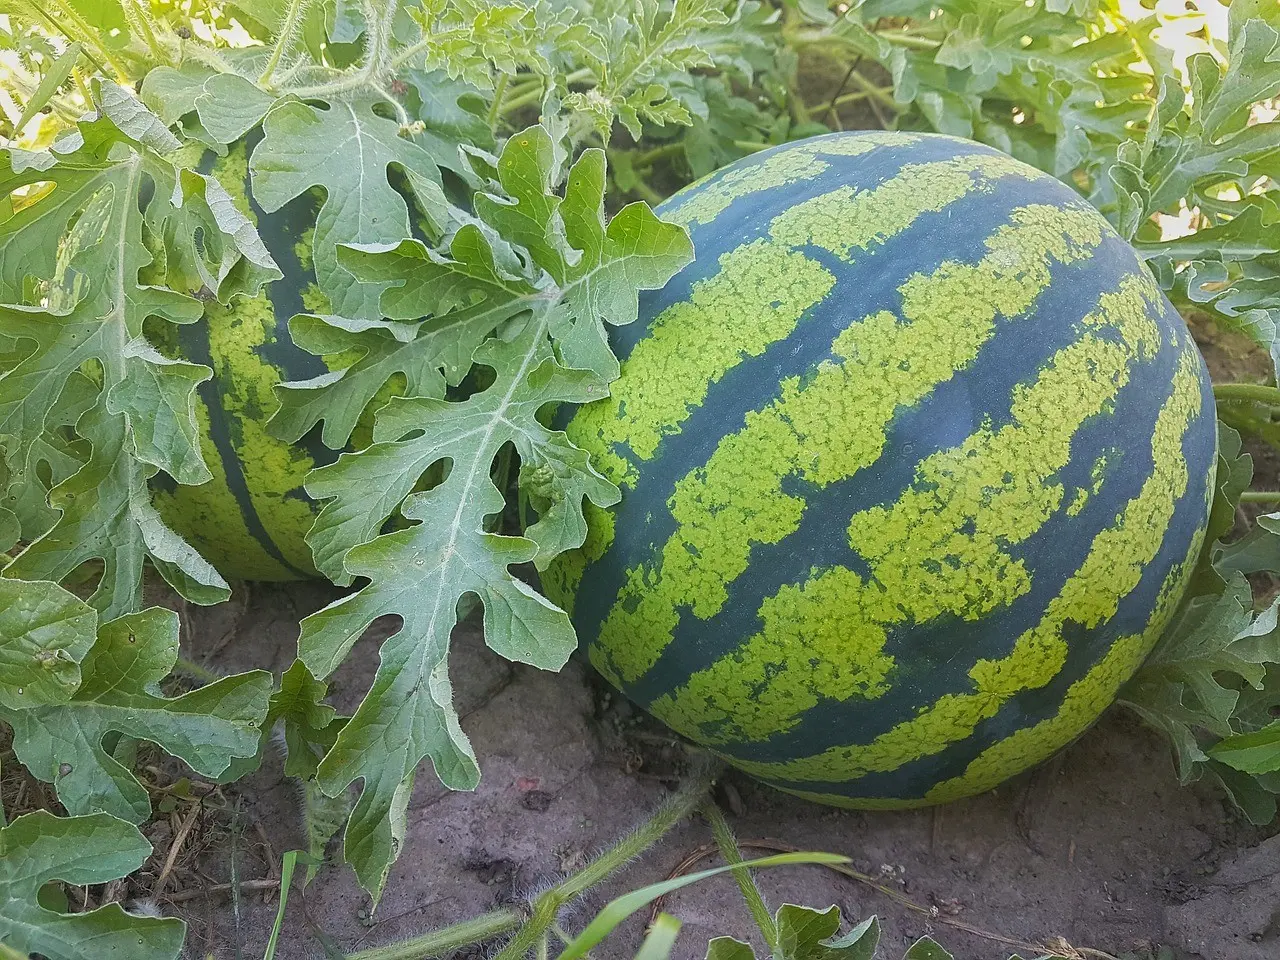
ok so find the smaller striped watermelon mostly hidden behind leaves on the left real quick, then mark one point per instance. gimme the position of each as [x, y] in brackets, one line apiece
[252, 519]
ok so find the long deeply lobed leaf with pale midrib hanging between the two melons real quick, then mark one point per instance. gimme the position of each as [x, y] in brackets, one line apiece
[578, 273]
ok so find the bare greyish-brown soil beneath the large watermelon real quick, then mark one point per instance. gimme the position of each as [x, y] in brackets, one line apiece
[1100, 848]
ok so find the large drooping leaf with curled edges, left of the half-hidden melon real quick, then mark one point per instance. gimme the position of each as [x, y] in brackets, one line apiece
[85, 248]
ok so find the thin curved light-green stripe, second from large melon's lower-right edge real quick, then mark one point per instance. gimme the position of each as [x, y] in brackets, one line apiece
[1089, 598]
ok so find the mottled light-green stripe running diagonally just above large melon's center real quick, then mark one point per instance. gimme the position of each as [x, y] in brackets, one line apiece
[737, 499]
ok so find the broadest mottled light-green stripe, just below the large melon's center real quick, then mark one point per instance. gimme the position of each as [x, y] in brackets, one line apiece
[939, 550]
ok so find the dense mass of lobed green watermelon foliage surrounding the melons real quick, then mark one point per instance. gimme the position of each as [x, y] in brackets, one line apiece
[468, 189]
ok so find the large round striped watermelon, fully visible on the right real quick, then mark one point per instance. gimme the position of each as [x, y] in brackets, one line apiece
[916, 460]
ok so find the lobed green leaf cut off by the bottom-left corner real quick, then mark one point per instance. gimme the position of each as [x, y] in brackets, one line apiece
[40, 848]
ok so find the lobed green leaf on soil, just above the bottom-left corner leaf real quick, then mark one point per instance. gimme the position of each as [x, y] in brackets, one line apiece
[63, 743]
